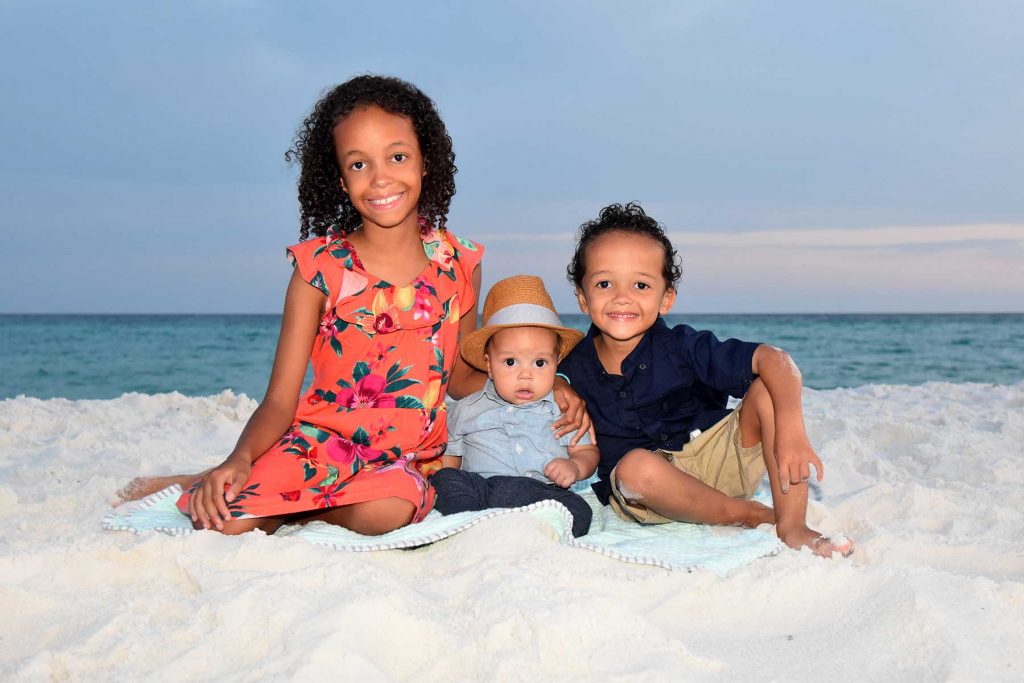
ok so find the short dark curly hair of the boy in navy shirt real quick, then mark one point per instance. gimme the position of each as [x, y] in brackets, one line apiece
[629, 219]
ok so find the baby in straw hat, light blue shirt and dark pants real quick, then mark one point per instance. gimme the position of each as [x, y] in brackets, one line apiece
[502, 436]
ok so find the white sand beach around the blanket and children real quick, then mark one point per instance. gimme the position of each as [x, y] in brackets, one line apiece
[929, 481]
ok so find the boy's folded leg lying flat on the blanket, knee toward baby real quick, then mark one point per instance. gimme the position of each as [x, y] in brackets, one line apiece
[649, 480]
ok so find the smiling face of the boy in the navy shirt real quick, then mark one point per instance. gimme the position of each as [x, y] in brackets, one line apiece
[624, 290]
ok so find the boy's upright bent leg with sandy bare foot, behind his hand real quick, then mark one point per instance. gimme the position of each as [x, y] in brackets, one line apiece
[757, 423]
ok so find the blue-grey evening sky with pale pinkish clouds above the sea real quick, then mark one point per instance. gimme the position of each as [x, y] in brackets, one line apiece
[805, 157]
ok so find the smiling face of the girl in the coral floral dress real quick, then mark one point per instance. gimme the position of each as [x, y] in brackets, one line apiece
[381, 167]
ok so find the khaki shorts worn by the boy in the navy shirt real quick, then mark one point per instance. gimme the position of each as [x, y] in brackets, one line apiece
[716, 457]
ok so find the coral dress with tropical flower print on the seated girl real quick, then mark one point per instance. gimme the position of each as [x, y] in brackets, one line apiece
[373, 423]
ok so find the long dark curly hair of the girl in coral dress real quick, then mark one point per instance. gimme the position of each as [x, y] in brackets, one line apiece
[323, 204]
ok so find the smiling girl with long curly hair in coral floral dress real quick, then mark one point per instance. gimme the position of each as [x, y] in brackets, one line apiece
[379, 296]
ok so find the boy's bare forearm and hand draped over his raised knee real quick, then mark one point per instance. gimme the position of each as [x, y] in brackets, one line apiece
[785, 385]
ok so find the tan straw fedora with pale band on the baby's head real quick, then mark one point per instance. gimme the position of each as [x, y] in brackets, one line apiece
[516, 303]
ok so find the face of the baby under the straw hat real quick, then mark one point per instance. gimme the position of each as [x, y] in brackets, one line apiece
[522, 363]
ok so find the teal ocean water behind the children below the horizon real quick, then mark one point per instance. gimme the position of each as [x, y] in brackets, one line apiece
[103, 357]
